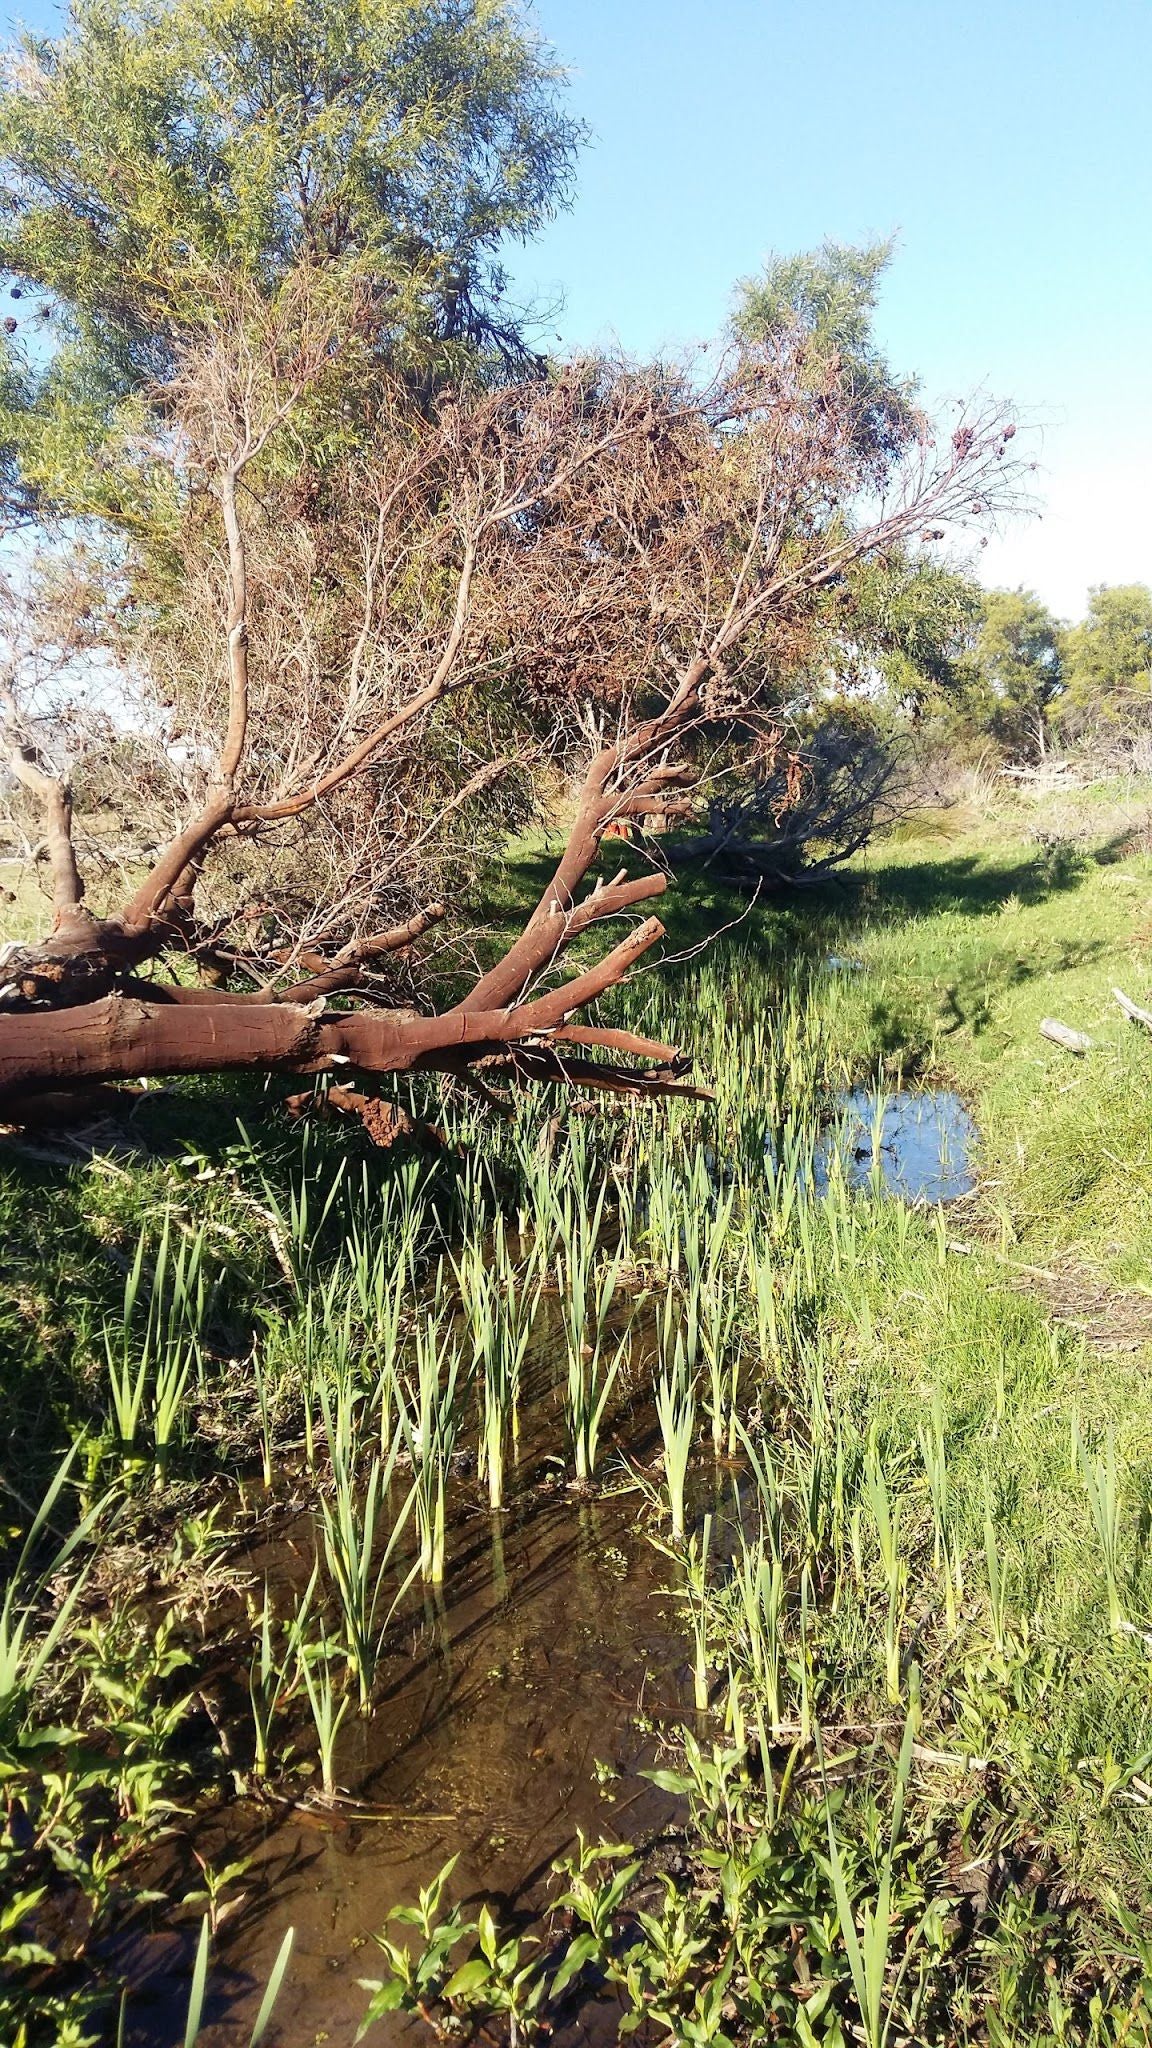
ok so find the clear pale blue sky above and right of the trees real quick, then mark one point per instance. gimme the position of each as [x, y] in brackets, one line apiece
[1007, 146]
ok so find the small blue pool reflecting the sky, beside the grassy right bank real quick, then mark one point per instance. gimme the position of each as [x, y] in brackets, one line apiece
[919, 1142]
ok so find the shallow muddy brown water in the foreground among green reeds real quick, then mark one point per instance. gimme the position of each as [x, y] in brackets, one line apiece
[518, 1707]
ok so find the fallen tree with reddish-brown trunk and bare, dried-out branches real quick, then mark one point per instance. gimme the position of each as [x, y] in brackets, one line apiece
[626, 558]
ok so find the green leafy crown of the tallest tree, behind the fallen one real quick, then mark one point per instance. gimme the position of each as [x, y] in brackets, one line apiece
[161, 159]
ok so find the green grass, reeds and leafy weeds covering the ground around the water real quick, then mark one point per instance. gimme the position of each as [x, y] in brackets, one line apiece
[917, 1613]
